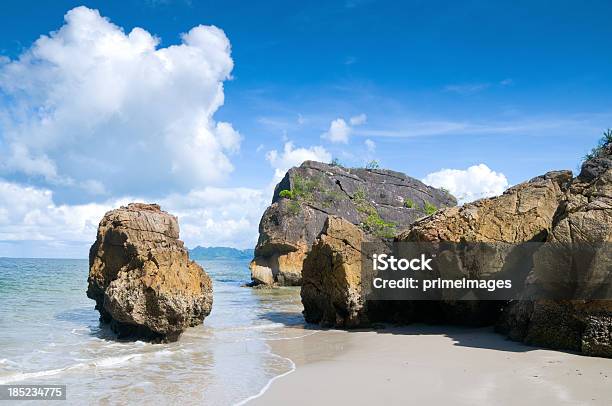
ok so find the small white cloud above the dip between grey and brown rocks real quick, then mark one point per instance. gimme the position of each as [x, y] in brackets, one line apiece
[473, 183]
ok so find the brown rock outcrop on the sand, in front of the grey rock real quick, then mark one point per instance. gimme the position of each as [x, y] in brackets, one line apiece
[553, 208]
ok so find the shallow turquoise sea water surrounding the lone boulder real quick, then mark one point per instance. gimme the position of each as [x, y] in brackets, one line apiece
[49, 333]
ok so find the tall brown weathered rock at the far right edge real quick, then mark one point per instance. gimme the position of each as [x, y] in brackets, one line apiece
[584, 218]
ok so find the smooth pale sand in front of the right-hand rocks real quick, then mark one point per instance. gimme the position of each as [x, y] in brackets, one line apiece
[432, 365]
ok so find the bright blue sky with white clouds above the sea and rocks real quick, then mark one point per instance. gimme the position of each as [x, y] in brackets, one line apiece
[202, 106]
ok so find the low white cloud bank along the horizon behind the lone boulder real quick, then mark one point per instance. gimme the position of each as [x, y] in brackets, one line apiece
[32, 222]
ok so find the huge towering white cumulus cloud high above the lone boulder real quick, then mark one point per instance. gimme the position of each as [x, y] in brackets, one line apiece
[91, 103]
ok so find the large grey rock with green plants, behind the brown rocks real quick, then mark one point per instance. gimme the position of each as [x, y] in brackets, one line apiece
[381, 202]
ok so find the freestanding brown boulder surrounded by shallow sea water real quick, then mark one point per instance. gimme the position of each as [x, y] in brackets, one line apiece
[141, 277]
